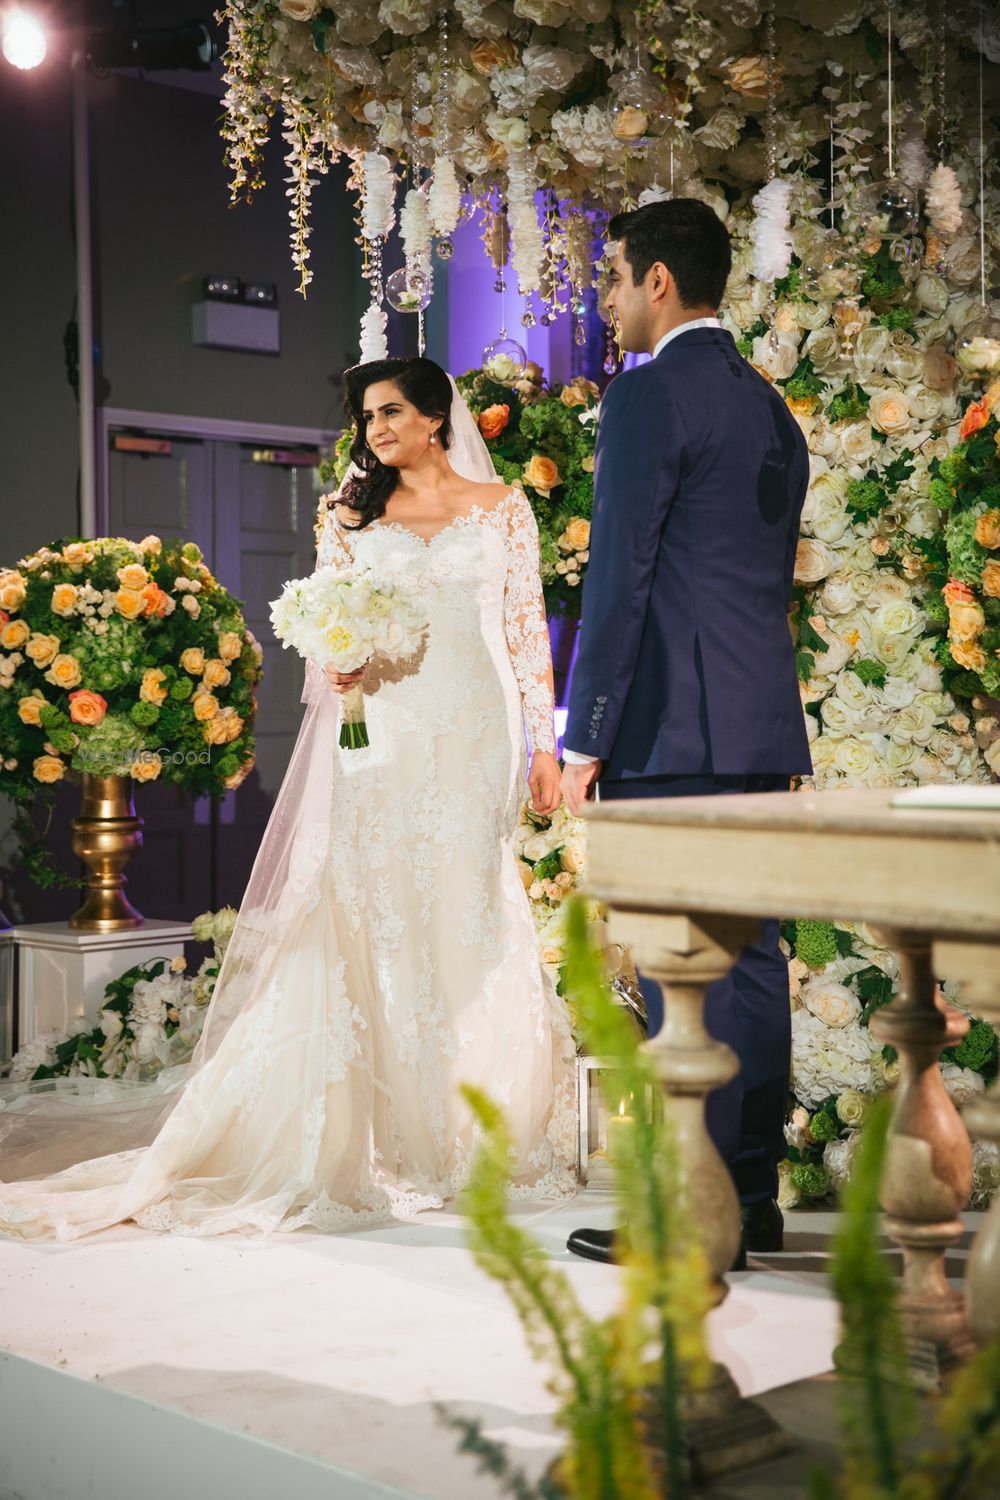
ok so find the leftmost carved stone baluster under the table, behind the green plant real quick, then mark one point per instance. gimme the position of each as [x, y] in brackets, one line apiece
[684, 955]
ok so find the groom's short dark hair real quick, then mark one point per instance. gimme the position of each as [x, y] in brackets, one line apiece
[689, 238]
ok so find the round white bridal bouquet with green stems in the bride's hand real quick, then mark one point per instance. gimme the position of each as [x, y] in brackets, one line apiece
[344, 622]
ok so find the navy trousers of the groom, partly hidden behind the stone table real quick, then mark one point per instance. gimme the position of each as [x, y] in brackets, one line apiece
[749, 1010]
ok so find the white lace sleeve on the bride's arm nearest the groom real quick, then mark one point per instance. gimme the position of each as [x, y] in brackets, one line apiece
[525, 625]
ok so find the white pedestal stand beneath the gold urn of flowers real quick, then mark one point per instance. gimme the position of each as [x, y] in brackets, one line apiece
[62, 973]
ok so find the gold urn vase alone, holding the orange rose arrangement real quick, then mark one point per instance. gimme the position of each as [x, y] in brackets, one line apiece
[106, 838]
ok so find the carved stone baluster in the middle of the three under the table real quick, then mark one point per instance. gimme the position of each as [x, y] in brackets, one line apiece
[929, 1171]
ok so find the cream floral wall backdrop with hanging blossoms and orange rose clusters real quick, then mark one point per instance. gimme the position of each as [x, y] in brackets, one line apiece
[866, 218]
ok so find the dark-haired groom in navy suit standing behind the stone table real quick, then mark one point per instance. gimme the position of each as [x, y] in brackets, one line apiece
[686, 683]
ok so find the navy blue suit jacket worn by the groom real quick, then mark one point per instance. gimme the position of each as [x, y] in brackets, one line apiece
[686, 661]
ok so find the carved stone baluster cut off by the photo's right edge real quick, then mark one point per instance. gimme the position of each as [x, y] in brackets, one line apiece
[977, 970]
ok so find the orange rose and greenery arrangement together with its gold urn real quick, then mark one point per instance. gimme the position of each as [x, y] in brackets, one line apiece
[121, 662]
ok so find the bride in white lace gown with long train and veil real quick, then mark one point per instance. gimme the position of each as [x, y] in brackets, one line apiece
[385, 952]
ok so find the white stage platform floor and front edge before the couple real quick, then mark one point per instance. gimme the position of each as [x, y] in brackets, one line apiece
[308, 1366]
